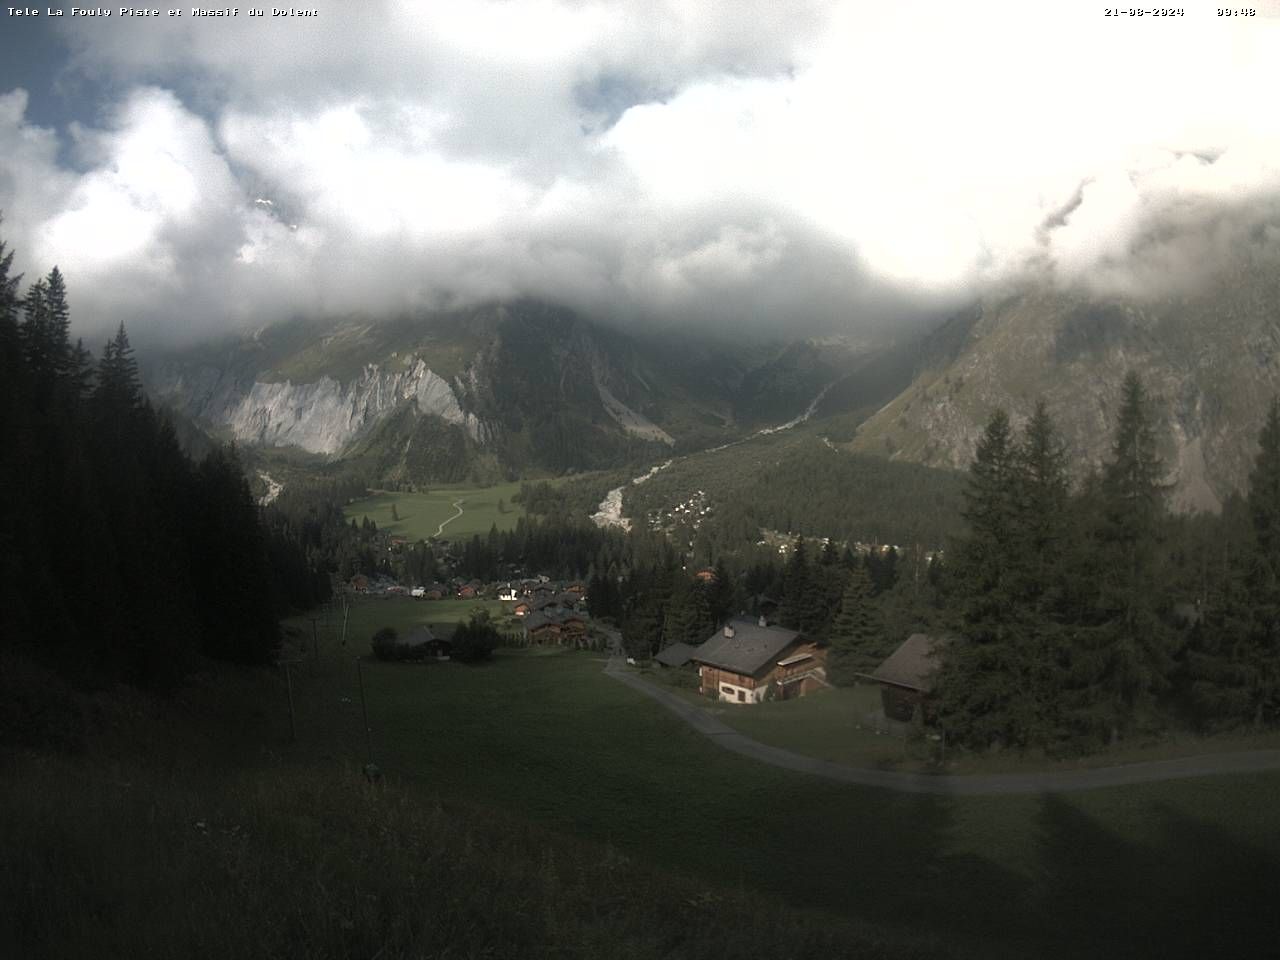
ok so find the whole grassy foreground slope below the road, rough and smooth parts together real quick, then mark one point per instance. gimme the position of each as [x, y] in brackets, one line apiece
[656, 842]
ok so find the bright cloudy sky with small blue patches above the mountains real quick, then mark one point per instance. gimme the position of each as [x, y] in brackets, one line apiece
[762, 166]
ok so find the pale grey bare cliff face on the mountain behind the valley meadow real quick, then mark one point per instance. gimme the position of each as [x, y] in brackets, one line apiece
[324, 417]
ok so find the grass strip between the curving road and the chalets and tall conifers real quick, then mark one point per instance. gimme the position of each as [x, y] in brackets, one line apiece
[844, 725]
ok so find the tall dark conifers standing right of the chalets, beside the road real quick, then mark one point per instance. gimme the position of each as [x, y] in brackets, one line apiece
[1085, 615]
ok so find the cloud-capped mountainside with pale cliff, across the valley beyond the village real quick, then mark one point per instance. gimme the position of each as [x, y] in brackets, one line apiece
[490, 394]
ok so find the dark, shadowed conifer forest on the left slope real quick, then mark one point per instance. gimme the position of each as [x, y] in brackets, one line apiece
[124, 560]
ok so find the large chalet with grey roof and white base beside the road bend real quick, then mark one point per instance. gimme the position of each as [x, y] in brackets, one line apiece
[748, 660]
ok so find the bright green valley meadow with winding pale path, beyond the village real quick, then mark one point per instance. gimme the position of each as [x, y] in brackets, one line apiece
[422, 514]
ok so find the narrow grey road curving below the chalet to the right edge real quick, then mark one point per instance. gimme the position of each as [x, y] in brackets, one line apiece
[968, 785]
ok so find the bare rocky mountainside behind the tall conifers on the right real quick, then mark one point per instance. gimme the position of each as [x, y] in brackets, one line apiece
[1212, 364]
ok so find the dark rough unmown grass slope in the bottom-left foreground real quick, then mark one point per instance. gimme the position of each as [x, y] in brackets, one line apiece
[175, 840]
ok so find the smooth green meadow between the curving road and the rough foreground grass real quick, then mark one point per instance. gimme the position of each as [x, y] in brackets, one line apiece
[548, 738]
